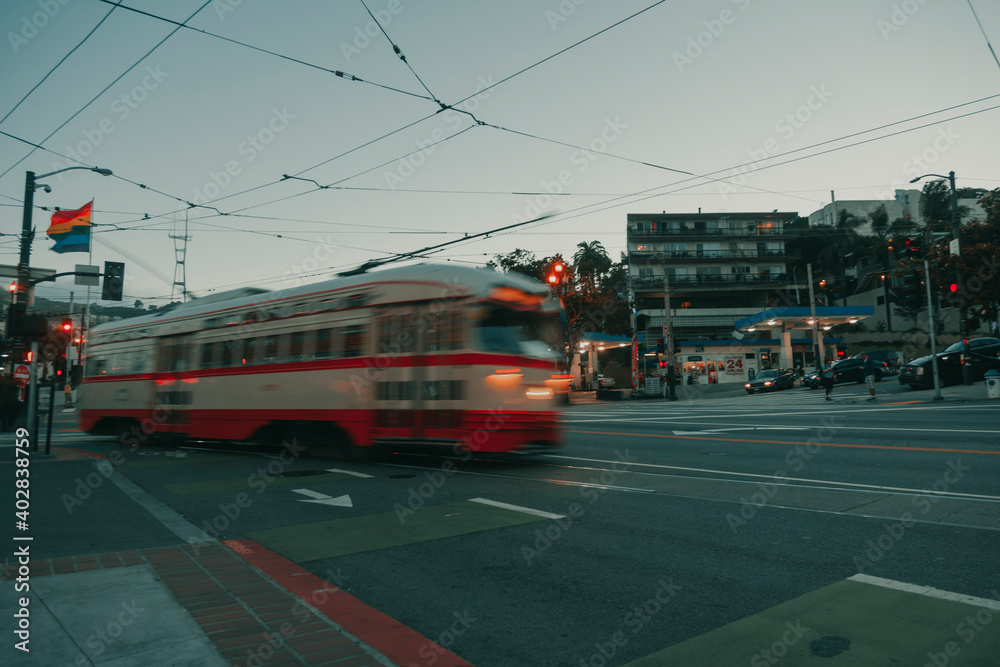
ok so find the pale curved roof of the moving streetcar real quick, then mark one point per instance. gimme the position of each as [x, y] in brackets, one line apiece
[460, 281]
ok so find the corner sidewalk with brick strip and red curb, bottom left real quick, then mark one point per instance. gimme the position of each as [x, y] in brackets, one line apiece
[174, 603]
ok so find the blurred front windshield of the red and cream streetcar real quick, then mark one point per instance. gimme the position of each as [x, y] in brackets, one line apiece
[529, 333]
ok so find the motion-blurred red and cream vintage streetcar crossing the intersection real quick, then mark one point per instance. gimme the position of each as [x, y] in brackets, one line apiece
[425, 355]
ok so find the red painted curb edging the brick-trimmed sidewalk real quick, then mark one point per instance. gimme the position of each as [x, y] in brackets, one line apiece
[396, 641]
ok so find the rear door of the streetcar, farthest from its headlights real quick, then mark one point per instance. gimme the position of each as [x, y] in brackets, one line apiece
[173, 394]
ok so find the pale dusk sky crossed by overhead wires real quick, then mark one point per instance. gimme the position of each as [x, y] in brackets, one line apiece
[580, 110]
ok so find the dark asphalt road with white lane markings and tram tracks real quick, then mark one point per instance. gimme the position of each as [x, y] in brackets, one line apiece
[715, 531]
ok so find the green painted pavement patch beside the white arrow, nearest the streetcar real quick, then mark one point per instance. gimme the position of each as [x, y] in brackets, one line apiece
[328, 539]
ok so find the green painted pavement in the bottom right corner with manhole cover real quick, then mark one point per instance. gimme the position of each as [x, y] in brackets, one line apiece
[884, 626]
